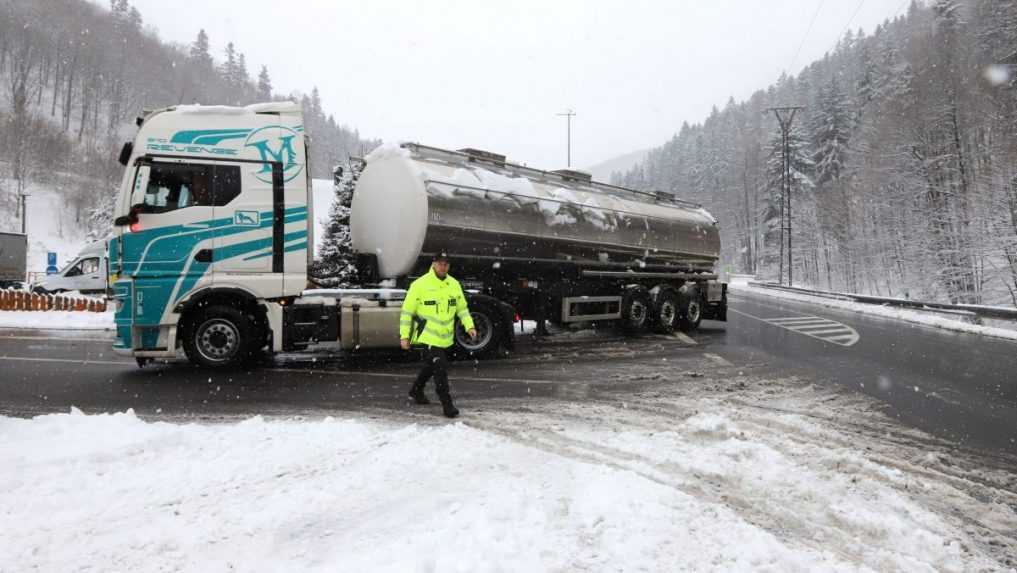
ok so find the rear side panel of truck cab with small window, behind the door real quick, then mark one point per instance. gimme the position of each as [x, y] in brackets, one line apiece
[249, 253]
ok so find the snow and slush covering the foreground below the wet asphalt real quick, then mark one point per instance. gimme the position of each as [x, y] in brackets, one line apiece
[682, 477]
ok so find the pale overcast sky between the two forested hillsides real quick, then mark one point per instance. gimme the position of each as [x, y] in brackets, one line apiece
[495, 75]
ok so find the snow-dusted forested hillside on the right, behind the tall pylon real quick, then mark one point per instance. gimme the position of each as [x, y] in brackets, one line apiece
[905, 161]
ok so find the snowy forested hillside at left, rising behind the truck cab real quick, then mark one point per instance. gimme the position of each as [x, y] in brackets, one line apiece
[74, 77]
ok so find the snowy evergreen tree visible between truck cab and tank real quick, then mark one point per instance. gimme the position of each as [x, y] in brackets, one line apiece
[335, 265]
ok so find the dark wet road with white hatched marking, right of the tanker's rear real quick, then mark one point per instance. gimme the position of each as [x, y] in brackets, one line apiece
[960, 386]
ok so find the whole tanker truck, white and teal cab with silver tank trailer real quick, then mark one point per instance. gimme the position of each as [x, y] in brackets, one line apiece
[214, 238]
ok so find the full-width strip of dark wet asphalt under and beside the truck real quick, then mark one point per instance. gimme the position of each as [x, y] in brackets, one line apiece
[958, 386]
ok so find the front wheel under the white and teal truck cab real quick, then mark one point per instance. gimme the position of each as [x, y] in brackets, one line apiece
[221, 337]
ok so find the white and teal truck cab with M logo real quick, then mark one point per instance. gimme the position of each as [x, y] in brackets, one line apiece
[212, 231]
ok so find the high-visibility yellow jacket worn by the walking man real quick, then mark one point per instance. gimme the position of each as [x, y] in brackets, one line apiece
[431, 310]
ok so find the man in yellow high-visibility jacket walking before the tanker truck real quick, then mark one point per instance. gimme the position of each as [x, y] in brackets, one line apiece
[429, 320]
